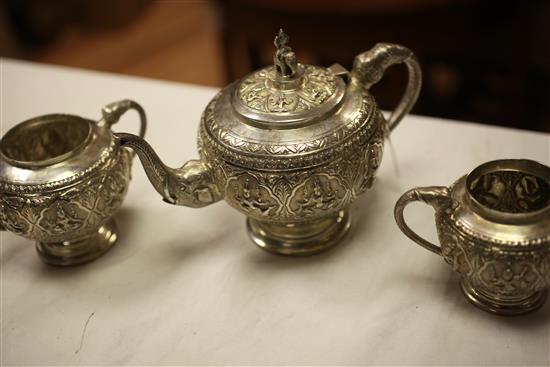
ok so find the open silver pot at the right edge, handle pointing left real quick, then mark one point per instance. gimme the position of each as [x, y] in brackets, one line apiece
[494, 229]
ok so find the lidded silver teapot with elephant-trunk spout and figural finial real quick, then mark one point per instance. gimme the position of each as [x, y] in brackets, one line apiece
[290, 146]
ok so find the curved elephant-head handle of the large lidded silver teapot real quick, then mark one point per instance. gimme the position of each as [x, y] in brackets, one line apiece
[369, 67]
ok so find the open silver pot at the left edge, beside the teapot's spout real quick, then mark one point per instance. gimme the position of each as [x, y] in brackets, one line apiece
[62, 177]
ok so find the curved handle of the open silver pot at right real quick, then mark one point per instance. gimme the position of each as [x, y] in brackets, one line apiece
[436, 196]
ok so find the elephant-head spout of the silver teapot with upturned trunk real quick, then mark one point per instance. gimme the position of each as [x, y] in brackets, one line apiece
[191, 185]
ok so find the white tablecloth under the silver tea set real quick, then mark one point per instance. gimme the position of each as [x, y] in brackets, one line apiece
[186, 286]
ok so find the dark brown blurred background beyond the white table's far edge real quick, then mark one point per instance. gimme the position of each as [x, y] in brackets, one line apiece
[483, 61]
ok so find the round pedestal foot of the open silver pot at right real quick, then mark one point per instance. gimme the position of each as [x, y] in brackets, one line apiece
[499, 306]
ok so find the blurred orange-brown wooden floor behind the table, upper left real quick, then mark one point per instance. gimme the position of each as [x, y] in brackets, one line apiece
[175, 40]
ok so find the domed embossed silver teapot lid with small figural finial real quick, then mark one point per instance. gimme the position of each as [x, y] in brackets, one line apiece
[287, 94]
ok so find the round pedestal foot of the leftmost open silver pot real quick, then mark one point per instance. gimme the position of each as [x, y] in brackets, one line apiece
[82, 251]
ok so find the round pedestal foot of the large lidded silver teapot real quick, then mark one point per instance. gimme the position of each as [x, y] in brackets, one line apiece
[300, 239]
